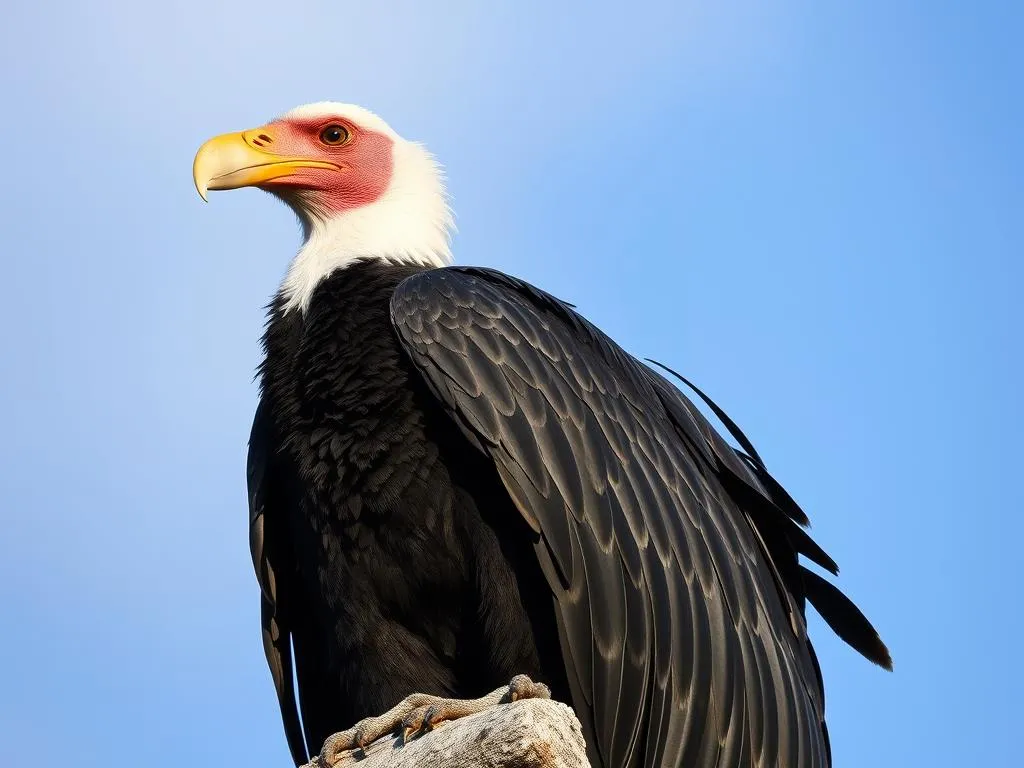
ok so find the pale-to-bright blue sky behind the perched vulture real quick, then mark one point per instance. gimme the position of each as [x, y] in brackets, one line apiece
[814, 211]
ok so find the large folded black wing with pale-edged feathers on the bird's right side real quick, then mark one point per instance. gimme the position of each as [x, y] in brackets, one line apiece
[671, 556]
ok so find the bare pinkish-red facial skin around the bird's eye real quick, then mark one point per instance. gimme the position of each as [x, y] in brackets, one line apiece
[365, 162]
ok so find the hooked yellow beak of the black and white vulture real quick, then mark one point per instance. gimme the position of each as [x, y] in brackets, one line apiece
[244, 159]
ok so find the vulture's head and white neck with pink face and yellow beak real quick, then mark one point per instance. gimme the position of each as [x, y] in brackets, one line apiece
[361, 191]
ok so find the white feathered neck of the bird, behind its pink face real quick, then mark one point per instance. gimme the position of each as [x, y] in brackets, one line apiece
[410, 224]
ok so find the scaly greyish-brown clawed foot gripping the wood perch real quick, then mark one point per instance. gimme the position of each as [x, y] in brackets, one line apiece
[420, 713]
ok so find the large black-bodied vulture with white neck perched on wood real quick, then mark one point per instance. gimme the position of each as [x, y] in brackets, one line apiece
[463, 492]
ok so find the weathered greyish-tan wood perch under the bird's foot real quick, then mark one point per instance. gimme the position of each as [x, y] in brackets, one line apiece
[529, 734]
